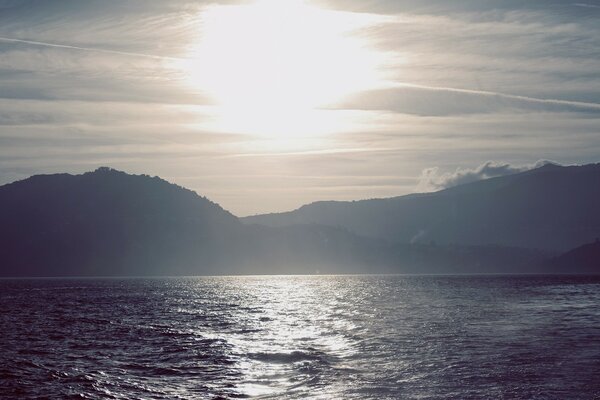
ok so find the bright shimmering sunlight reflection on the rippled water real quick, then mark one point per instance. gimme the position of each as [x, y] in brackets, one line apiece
[288, 329]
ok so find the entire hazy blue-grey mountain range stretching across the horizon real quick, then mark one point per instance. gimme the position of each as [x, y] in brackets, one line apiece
[107, 222]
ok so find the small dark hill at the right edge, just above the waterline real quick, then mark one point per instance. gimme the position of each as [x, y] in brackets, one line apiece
[583, 259]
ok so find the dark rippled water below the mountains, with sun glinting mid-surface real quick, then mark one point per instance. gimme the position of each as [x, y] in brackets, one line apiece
[324, 337]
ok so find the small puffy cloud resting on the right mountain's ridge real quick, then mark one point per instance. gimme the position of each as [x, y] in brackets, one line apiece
[431, 179]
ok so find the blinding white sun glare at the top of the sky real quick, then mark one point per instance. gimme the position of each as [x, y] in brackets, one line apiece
[268, 65]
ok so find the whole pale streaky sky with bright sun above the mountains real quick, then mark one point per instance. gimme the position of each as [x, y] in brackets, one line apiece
[263, 106]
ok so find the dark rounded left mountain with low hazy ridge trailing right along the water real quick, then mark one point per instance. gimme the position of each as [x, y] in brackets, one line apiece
[107, 222]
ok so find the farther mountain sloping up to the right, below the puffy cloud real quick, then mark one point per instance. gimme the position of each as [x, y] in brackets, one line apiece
[553, 208]
